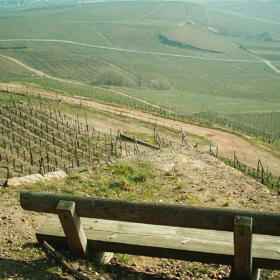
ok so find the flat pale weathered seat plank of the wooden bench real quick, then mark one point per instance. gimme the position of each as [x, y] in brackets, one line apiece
[207, 246]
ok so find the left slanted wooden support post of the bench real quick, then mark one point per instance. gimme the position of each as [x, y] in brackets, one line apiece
[72, 228]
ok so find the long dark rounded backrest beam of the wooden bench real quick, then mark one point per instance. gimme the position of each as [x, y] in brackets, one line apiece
[149, 213]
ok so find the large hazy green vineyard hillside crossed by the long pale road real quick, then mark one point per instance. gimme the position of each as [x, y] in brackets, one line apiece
[135, 45]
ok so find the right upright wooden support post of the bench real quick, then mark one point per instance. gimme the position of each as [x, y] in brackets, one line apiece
[243, 248]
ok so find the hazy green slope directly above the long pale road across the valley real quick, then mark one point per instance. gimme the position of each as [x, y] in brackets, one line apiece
[114, 25]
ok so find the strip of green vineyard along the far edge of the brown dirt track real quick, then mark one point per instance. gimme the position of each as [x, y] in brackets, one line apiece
[261, 125]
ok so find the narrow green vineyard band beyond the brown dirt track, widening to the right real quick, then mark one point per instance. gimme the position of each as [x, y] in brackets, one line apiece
[261, 125]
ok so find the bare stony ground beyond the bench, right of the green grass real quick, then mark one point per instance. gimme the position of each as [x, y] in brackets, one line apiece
[211, 182]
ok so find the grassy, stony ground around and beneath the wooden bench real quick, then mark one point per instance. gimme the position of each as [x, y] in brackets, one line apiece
[199, 179]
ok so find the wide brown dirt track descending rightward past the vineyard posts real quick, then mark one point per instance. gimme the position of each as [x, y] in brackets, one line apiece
[228, 143]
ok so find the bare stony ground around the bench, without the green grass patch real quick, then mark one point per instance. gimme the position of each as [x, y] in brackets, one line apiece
[199, 179]
